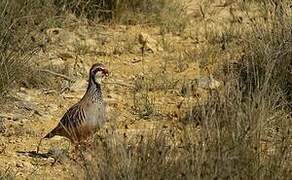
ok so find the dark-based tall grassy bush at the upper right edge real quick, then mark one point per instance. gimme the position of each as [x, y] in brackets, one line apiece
[266, 65]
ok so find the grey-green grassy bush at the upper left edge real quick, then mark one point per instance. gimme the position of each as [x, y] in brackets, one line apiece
[19, 22]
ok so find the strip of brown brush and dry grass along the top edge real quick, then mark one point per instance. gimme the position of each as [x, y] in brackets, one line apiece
[170, 15]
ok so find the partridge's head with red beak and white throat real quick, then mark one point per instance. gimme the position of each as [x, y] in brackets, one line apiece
[97, 72]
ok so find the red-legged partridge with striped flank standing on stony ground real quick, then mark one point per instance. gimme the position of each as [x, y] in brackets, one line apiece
[87, 115]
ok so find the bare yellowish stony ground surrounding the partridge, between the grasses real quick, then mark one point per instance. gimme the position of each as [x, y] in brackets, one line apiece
[170, 65]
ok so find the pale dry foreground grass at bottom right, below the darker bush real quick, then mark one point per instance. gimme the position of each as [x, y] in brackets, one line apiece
[240, 137]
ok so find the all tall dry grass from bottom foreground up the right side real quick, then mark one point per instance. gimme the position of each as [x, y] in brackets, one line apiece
[244, 130]
